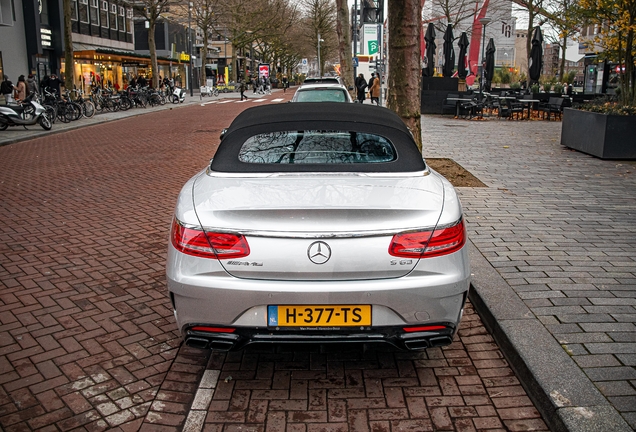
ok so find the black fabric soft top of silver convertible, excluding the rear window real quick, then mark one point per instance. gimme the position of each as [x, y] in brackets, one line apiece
[318, 116]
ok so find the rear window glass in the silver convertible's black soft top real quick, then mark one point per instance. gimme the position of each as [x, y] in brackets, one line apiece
[316, 147]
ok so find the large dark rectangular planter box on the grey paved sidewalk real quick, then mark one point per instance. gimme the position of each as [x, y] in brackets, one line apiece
[601, 135]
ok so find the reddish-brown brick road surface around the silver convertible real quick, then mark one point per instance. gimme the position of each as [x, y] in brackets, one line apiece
[87, 337]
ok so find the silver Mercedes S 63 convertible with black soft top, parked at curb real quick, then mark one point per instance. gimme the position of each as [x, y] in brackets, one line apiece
[317, 222]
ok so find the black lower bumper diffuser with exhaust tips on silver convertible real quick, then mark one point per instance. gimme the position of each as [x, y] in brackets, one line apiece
[396, 336]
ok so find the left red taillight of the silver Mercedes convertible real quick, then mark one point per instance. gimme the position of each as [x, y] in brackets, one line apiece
[203, 244]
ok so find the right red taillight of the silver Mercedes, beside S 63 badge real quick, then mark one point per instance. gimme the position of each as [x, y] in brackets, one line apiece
[427, 244]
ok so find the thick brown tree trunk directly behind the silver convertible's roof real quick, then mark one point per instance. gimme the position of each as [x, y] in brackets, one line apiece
[405, 82]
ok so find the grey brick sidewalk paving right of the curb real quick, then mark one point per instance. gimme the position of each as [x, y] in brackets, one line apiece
[559, 228]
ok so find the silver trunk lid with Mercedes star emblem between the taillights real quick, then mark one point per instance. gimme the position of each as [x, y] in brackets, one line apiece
[323, 227]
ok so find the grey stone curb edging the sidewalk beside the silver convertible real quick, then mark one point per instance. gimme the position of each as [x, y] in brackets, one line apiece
[566, 398]
